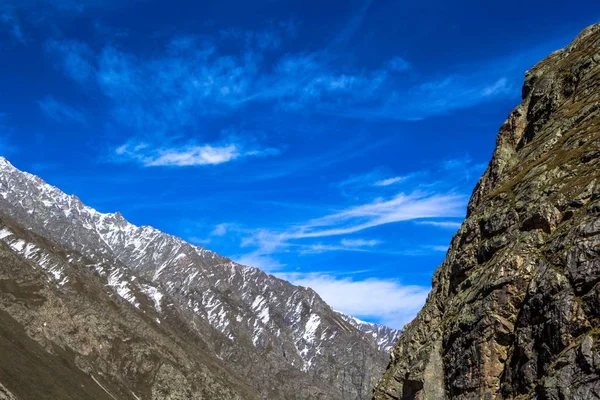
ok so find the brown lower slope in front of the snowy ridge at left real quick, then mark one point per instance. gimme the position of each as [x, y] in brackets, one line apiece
[65, 335]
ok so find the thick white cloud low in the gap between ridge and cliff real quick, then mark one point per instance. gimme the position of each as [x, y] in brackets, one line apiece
[386, 301]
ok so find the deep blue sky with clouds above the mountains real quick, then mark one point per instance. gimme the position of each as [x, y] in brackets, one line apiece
[334, 144]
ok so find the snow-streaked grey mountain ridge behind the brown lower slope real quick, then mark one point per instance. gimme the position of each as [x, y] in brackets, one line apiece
[279, 336]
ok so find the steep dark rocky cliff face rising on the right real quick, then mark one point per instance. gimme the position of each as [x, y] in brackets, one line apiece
[515, 308]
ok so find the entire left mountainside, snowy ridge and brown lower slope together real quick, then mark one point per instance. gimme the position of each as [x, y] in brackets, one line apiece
[133, 313]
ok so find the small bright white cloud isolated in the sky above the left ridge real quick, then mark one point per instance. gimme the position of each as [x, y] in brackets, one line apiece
[185, 156]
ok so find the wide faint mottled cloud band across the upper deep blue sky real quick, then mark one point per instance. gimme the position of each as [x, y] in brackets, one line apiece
[194, 76]
